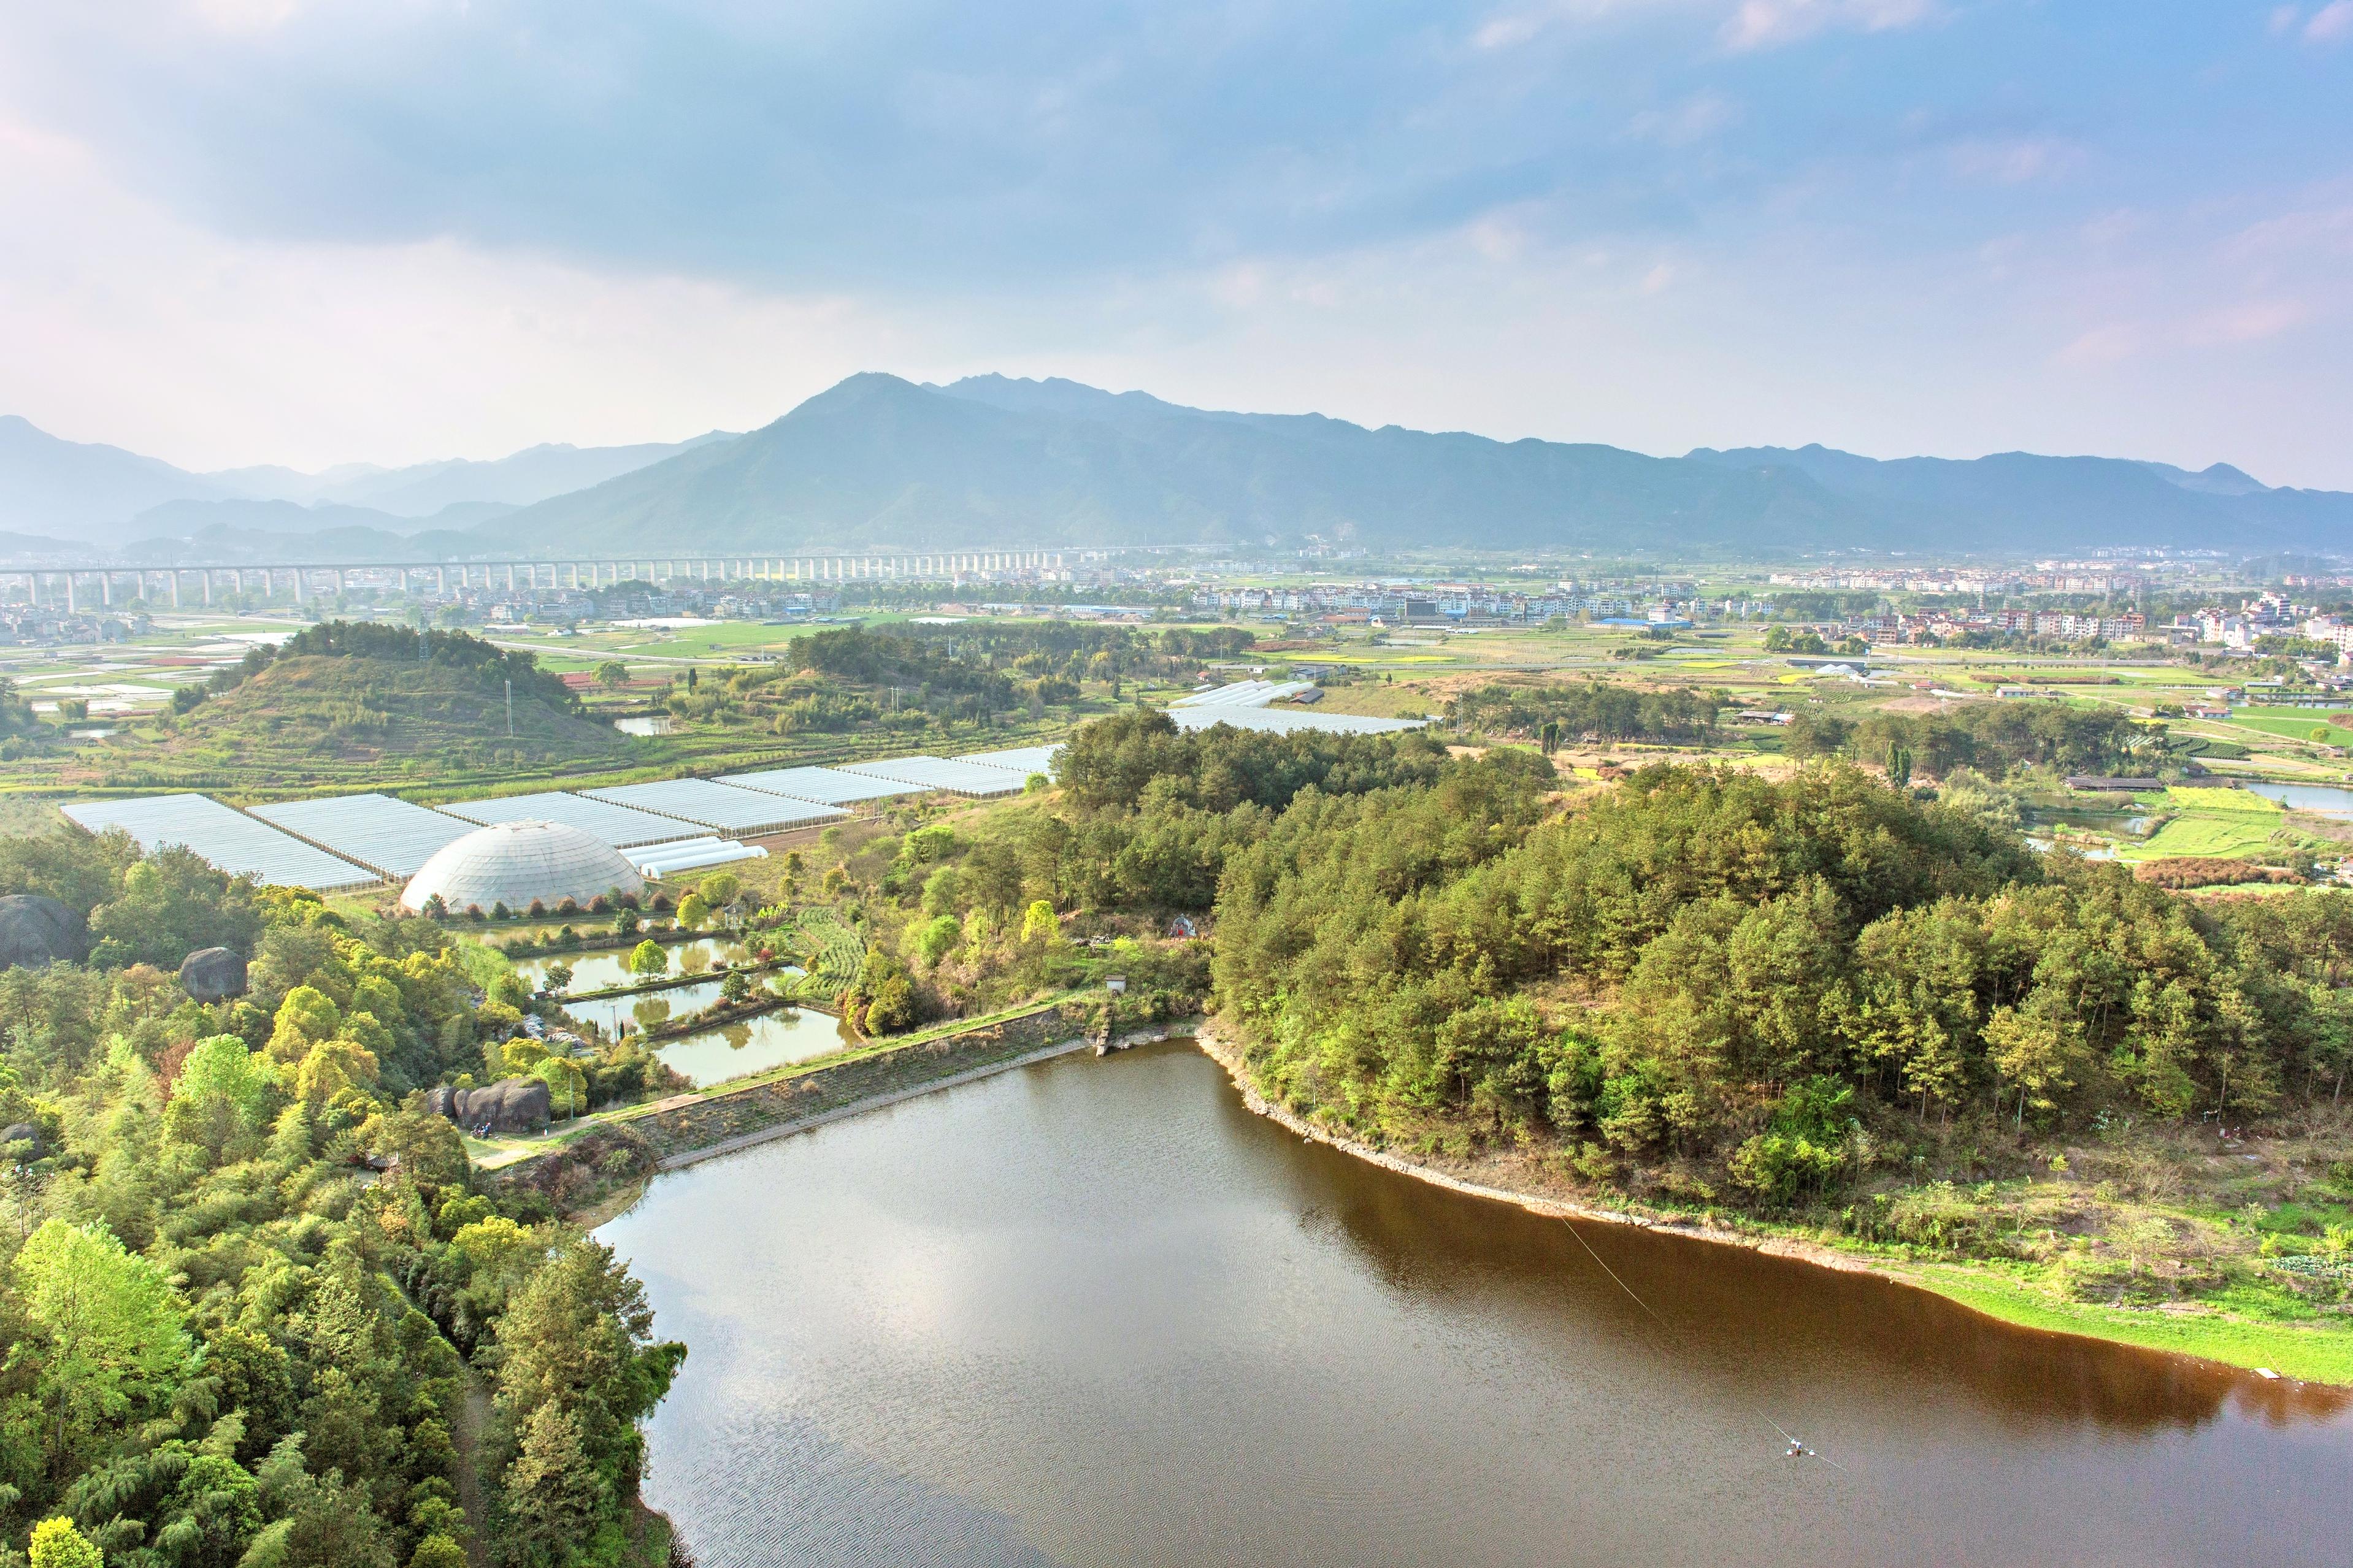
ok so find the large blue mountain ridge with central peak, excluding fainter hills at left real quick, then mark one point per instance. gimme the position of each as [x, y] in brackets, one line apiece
[879, 462]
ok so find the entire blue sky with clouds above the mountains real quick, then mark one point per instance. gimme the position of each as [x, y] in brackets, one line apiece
[319, 232]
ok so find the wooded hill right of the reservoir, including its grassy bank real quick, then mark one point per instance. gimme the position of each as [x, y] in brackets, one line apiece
[1811, 1003]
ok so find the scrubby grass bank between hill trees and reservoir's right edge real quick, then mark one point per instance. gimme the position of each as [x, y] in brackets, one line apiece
[2166, 1240]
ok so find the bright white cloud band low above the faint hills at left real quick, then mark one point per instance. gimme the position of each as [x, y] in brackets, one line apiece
[133, 328]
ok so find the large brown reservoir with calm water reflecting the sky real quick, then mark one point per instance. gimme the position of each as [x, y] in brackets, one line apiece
[1098, 1313]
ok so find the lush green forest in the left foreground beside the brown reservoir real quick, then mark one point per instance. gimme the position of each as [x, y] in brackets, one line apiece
[258, 1311]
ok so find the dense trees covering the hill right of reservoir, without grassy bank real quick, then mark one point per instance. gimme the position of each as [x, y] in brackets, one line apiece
[1693, 972]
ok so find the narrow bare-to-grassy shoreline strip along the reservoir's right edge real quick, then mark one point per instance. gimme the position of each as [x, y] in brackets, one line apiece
[1982, 1292]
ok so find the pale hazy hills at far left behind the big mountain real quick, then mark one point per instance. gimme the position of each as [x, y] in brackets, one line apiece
[107, 497]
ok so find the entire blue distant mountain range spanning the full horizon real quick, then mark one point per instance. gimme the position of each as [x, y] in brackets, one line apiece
[879, 462]
